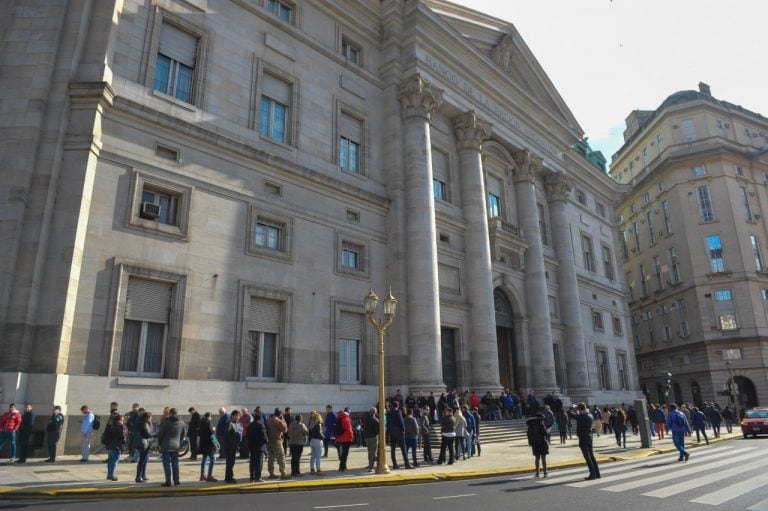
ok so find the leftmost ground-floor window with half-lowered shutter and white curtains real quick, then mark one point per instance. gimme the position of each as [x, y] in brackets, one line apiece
[147, 313]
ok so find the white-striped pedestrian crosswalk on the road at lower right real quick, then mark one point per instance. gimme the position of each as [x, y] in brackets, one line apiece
[715, 476]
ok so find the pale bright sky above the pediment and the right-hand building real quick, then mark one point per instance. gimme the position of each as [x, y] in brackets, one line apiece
[609, 57]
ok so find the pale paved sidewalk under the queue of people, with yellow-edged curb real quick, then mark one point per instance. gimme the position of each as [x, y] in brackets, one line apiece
[67, 478]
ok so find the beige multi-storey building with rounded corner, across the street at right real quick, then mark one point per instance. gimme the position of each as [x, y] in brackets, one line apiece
[694, 246]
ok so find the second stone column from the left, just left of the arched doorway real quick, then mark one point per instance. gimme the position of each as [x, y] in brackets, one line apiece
[470, 134]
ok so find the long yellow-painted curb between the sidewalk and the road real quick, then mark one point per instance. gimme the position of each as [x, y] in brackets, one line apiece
[137, 492]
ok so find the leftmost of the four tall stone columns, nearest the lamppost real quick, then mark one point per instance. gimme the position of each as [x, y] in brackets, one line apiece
[419, 100]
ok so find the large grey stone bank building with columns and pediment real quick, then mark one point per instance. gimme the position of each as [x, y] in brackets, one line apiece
[198, 195]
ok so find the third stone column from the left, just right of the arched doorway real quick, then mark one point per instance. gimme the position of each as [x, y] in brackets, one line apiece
[527, 169]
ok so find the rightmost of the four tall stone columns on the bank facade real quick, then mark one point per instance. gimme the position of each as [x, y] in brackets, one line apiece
[558, 187]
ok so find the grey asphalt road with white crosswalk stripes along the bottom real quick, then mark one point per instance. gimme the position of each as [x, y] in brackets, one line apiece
[727, 476]
